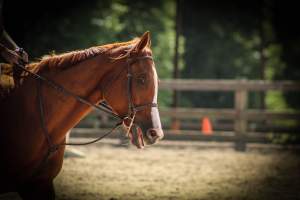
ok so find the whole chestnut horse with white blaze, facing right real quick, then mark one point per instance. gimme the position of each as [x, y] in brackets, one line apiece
[95, 74]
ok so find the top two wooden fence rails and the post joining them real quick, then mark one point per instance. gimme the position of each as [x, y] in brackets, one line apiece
[240, 113]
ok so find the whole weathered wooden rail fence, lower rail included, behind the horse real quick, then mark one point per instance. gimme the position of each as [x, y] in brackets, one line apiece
[240, 114]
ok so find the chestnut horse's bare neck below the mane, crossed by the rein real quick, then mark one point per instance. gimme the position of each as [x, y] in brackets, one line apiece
[63, 112]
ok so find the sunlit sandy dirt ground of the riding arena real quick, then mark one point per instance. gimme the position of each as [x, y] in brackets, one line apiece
[179, 170]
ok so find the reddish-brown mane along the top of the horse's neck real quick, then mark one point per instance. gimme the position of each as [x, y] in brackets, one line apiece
[64, 60]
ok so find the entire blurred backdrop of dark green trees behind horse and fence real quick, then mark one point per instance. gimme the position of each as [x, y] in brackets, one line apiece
[233, 39]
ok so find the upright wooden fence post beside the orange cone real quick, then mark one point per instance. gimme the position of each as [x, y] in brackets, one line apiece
[240, 125]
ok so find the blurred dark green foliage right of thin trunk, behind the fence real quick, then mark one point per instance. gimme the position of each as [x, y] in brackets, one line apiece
[226, 40]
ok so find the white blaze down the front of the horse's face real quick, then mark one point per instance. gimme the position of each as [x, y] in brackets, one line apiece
[154, 110]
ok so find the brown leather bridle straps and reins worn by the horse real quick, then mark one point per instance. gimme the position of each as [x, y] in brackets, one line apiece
[132, 109]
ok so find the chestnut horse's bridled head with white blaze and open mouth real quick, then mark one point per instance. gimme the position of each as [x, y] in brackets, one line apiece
[133, 93]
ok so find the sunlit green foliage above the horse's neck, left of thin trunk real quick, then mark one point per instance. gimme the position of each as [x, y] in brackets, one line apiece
[103, 21]
